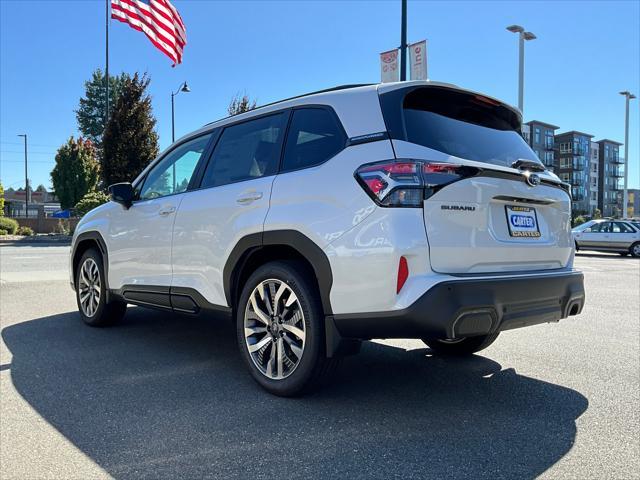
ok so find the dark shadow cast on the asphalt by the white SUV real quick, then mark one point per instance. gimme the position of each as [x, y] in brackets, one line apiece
[165, 396]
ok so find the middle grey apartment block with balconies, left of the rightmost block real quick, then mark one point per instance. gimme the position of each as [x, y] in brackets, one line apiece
[573, 165]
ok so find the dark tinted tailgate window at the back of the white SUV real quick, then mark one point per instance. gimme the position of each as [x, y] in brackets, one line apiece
[457, 123]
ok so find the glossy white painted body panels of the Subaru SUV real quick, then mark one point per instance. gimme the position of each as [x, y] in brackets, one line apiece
[363, 242]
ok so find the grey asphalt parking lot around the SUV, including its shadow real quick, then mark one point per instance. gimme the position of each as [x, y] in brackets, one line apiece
[164, 396]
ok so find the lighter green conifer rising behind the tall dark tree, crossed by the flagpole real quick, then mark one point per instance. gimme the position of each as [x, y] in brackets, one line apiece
[91, 112]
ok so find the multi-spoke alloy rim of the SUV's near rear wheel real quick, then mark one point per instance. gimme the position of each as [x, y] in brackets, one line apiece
[274, 329]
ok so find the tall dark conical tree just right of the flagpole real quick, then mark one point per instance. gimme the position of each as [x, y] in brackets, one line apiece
[130, 142]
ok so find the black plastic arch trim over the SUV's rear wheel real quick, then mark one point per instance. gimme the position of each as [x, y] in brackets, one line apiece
[289, 238]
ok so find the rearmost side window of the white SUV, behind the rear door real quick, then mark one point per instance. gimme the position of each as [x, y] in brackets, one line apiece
[314, 137]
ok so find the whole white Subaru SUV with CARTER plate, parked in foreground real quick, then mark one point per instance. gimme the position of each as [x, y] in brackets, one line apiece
[399, 210]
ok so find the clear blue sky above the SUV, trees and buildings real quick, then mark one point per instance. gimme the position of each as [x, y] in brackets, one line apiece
[586, 52]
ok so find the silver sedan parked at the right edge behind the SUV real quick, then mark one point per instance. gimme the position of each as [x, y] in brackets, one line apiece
[604, 235]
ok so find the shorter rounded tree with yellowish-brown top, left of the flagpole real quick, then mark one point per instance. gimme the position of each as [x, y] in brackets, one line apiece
[77, 171]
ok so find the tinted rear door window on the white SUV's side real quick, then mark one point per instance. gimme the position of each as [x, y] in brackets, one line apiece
[245, 151]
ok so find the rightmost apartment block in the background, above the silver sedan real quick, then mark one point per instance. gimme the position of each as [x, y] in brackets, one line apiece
[610, 177]
